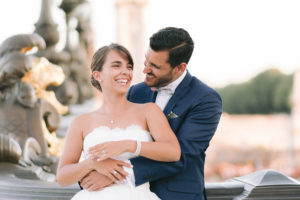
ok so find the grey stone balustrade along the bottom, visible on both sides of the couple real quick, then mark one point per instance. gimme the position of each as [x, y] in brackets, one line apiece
[20, 183]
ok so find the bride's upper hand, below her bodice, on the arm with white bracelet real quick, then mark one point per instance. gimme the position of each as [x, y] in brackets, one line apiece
[106, 150]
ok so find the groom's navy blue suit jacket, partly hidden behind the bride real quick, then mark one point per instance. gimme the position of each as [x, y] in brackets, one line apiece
[198, 108]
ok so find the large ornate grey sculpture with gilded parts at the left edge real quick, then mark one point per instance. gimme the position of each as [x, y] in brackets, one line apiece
[28, 113]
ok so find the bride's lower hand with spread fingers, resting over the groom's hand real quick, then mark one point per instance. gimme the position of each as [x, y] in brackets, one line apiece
[112, 168]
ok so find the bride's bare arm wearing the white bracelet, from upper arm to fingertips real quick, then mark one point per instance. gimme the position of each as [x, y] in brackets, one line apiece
[164, 148]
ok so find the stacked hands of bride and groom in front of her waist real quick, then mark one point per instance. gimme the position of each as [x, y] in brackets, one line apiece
[107, 171]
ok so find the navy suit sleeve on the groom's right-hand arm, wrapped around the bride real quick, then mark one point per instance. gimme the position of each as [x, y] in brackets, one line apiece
[194, 134]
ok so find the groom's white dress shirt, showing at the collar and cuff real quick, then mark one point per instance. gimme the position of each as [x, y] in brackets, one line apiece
[164, 94]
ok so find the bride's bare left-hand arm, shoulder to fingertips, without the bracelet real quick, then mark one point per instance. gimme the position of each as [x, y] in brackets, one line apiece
[71, 171]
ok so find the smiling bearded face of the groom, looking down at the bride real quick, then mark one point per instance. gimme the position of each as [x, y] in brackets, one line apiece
[157, 69]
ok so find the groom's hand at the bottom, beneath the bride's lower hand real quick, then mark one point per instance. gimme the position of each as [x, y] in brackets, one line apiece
[95, 181]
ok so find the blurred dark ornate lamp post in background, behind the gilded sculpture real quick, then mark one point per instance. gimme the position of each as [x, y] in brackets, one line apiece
[73, 58]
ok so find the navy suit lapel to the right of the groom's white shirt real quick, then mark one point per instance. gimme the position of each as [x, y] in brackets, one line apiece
[179, 93]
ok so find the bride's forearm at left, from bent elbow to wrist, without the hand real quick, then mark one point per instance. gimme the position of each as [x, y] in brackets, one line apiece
[72, 173]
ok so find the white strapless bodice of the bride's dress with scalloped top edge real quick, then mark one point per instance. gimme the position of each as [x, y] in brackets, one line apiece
[104, 134]
